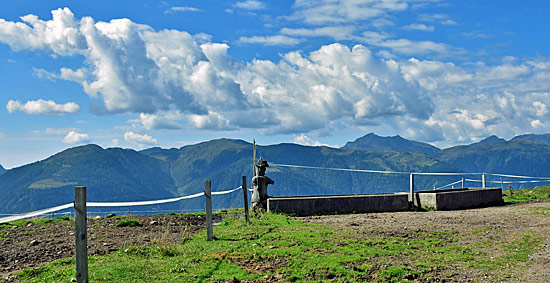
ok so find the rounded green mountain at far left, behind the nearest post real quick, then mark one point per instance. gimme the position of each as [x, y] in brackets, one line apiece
[109, 174]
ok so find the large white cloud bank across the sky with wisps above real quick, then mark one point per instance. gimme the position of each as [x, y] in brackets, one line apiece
[132, 68]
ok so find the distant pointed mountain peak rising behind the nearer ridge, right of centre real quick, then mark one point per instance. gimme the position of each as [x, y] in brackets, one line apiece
[396, 143]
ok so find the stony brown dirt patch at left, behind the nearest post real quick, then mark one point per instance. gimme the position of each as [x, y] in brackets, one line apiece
[34, 245]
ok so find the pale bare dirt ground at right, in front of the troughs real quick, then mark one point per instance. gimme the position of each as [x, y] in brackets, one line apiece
[498, 225]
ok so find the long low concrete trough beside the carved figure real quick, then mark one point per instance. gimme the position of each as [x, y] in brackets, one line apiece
[309, 205]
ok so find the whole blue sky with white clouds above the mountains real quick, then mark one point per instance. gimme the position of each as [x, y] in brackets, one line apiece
[138, 74]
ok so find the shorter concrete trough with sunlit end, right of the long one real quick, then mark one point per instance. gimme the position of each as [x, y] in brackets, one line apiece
[458, 198]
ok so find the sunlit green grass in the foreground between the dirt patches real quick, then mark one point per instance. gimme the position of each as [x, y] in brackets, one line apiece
[278, 247]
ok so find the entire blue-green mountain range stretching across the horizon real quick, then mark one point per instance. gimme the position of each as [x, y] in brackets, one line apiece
[116, 174]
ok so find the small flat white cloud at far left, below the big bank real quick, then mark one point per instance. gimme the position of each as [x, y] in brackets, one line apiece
[41, 106]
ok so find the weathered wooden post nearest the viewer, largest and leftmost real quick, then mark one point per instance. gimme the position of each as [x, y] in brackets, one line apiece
[81, 234]
